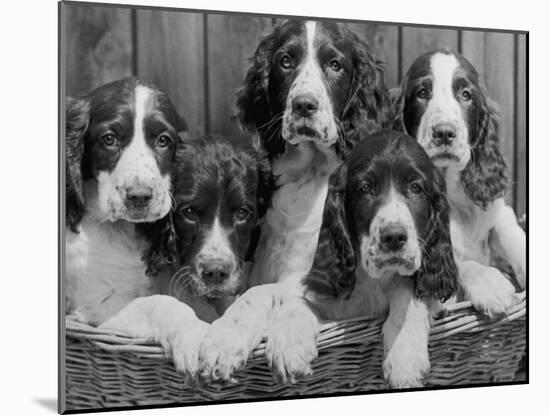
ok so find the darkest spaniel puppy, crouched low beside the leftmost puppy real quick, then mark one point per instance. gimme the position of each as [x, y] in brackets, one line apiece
[220, 192]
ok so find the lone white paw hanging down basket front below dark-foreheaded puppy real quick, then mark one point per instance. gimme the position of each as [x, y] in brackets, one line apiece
[406, 370]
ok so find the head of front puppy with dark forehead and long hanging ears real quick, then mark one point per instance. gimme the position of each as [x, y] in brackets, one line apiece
[386, 212]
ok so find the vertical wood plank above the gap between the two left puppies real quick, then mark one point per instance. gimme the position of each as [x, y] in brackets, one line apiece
[170, 53]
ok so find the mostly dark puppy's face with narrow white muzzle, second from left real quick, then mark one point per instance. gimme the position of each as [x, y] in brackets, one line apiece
[216, 209]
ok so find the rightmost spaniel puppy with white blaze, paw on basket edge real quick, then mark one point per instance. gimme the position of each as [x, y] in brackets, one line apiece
[443, 105]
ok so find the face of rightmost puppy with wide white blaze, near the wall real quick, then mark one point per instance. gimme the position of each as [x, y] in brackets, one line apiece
[442, 107]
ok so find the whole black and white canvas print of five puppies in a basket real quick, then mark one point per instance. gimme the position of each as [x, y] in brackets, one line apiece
[261, 206]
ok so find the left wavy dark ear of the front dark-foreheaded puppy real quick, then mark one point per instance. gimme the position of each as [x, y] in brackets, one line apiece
[333, 270]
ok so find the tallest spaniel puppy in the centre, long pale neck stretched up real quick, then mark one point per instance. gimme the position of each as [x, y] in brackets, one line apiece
[312, 90]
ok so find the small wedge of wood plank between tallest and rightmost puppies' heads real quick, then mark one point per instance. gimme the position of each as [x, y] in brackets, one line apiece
[384, 44]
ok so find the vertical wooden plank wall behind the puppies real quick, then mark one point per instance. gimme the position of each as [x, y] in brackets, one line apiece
[200, 60]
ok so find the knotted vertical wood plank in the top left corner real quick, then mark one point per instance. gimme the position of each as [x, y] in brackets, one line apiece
[98, 46]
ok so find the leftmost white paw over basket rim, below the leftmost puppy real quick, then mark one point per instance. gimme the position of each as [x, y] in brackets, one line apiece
[183, 348]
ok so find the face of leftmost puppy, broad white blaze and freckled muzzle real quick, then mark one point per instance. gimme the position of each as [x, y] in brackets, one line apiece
[129, 151]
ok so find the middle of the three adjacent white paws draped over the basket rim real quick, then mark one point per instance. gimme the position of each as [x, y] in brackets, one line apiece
[224, 349]
